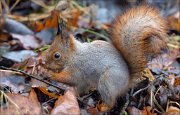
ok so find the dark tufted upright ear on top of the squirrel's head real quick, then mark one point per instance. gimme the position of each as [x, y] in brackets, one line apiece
[63, 29]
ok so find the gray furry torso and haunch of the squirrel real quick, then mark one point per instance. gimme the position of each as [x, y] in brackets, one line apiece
[101, 66]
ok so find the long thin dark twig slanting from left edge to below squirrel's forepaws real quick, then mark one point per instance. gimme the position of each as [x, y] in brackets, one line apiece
[22, 72]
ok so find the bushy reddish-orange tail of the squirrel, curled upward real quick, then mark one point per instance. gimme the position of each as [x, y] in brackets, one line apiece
[139, 34]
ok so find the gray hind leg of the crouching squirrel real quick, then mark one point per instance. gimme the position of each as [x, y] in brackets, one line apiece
[112, 84]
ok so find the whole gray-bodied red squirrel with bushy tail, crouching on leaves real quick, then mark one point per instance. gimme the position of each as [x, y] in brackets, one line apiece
[111, 67]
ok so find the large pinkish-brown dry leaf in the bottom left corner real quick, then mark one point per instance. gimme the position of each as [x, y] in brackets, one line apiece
[18, 104]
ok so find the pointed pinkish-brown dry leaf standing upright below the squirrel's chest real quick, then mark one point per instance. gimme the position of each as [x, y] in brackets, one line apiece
[67, 104]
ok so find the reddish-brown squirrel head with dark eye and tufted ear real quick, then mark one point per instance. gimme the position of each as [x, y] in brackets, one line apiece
[57, 56]
